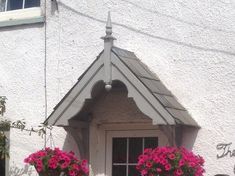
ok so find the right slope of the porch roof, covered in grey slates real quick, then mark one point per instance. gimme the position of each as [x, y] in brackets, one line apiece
[155, 86]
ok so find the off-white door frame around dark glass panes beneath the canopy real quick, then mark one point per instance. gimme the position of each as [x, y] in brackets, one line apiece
[162, 140]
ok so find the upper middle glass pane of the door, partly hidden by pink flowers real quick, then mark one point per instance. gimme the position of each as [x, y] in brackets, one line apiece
[135, 149]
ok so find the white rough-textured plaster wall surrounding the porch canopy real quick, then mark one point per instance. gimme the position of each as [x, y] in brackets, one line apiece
[189, 44]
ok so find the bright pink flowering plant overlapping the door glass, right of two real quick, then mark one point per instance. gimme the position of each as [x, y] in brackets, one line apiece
[170, 161]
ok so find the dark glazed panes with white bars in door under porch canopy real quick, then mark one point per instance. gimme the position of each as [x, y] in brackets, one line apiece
[125, 152]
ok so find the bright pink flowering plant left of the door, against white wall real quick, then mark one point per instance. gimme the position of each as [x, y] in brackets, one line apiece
[49, 162]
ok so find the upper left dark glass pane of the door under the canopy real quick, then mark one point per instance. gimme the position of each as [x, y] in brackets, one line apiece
[119, 150]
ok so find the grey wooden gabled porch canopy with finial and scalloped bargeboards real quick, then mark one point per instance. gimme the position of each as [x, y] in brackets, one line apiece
[115, 64]
